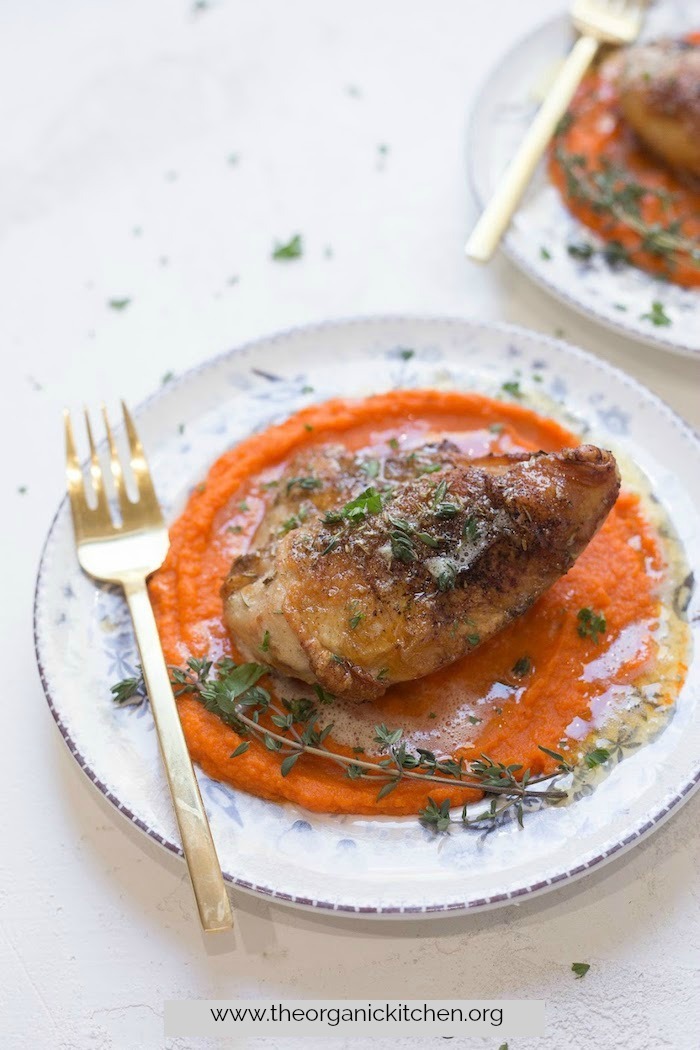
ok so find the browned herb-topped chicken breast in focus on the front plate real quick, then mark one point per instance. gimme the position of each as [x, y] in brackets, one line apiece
[358, 582]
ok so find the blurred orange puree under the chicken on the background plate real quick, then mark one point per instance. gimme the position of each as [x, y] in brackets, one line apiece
[596, 135]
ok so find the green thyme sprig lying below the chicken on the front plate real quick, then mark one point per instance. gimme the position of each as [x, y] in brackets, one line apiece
[291, 728]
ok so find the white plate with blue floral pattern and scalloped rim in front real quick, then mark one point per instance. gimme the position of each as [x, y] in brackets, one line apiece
[366, 866]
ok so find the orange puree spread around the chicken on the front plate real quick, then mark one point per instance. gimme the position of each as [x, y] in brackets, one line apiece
[476, 706]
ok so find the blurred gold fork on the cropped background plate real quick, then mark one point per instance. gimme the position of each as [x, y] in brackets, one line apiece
[599, 23]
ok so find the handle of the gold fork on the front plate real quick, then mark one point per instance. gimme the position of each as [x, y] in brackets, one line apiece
[198, 844]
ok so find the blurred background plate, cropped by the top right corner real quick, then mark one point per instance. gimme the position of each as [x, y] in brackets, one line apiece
[545, 240]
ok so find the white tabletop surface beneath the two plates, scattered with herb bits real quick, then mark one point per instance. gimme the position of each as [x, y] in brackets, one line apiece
[118, 123]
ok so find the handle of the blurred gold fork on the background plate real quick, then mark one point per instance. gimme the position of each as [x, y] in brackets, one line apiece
[499, 213]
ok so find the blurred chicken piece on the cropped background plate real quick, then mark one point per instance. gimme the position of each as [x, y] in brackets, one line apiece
[660, 88]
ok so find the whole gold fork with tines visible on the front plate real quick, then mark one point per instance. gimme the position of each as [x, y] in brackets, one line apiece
[126, 554]
